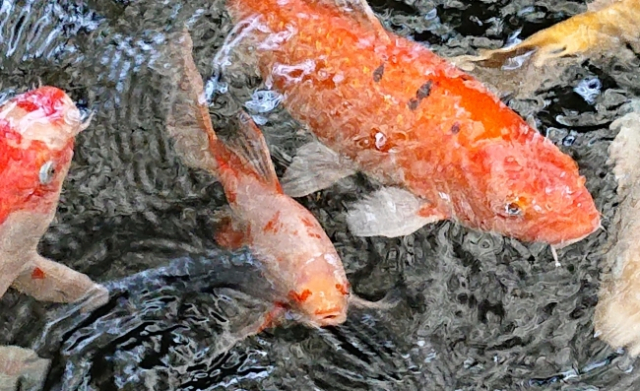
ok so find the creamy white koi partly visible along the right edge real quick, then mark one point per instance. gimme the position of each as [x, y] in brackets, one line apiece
[617, 314]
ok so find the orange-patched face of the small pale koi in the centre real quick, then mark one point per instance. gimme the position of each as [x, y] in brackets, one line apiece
[322, 299]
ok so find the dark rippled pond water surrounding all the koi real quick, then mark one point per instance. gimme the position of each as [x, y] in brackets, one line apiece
[478, 312]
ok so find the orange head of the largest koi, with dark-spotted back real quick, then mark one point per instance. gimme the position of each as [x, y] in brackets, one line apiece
[535, 193]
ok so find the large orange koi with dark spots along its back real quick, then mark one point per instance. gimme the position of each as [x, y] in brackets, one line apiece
[443, 146]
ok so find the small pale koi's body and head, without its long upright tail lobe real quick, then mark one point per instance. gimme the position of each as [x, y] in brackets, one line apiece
[282, 233]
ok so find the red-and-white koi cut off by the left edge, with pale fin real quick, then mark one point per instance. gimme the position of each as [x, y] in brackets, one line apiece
[37, 132]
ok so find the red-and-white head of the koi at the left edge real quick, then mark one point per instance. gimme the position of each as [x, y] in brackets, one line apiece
[37, 132]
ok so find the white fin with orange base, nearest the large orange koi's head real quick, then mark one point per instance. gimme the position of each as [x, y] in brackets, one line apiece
[390, 212]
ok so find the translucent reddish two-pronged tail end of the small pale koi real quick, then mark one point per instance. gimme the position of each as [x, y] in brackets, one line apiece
[196, 140]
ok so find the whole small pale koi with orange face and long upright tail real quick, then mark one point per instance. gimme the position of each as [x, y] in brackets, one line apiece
[298, 255]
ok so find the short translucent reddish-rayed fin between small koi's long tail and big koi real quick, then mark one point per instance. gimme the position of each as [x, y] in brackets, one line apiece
[251, 148]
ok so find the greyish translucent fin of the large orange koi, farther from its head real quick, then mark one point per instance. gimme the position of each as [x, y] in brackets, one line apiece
[315, 167]
